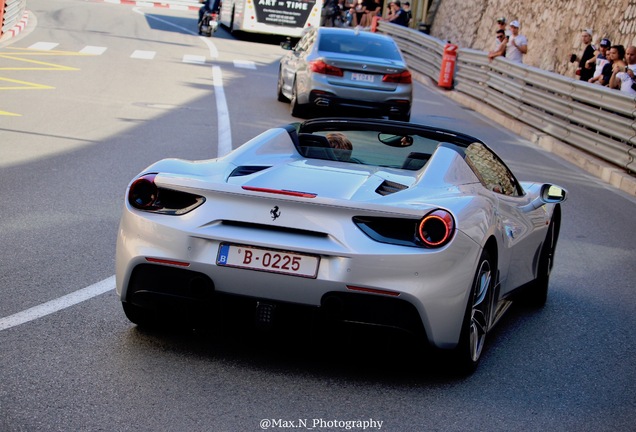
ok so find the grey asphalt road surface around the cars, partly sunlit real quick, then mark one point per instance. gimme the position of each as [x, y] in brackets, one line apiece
[77, 123]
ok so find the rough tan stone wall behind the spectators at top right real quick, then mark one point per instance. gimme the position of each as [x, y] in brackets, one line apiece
[553, 28]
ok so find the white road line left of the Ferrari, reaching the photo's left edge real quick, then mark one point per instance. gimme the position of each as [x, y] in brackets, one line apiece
[57, 304]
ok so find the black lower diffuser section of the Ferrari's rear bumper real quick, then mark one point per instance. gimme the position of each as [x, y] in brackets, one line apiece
[186, 294]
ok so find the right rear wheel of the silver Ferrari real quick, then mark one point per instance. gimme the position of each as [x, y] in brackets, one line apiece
[477, 318]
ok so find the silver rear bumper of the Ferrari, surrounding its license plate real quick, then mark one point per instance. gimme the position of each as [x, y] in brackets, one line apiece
[162, 266]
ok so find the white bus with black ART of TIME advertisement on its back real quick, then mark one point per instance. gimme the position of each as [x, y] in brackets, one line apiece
[276, 17]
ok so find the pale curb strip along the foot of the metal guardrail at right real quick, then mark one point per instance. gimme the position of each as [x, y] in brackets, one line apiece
[605, 171]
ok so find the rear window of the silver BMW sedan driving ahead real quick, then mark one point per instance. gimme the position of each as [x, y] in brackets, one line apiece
[359, 45]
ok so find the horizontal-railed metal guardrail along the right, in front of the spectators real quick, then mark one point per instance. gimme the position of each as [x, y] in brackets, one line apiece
[595, 119]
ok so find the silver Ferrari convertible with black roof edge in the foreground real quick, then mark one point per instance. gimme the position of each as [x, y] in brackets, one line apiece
[355, 220]
